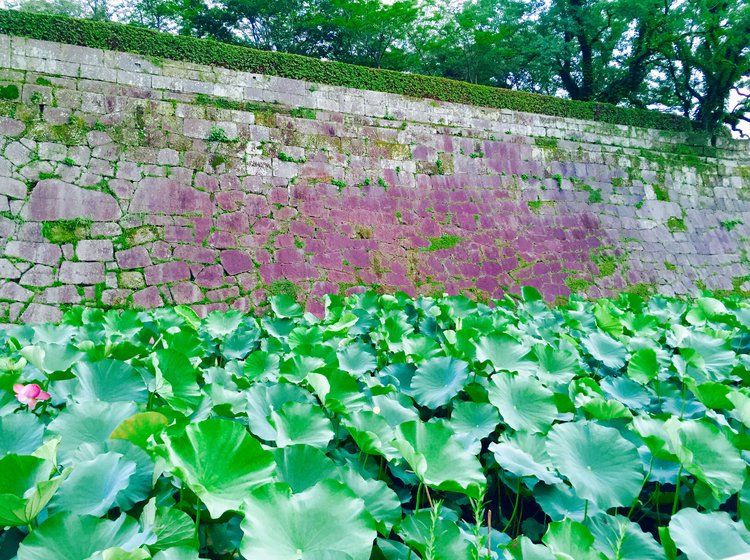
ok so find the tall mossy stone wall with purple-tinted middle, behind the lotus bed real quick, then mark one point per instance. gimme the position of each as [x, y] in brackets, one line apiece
[129, 182]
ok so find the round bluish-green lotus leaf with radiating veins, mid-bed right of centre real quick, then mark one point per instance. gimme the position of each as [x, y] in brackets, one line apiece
[437, 380]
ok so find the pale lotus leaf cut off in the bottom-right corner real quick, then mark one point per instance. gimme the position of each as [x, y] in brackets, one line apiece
[707, 536]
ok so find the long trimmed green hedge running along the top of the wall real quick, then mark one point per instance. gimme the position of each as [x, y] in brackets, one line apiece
[146, 42]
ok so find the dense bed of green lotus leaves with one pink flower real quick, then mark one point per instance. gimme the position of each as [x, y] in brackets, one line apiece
[394, 428]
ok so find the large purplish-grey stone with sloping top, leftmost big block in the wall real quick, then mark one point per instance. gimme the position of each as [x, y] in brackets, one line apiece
[52, 199]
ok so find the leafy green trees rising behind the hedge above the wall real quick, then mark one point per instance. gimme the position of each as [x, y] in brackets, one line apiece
[690, 57]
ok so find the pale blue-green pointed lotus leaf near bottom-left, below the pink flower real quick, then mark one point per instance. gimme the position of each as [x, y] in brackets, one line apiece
[93, 485]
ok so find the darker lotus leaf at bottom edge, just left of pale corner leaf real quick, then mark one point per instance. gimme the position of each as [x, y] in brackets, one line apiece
[618, 537]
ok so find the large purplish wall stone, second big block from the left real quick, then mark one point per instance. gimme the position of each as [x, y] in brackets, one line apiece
[165, 196]
